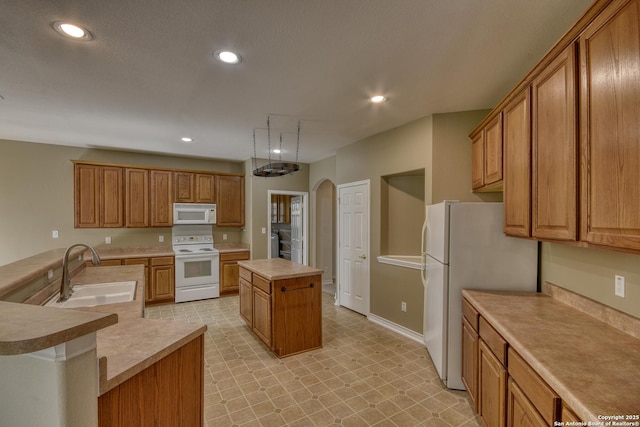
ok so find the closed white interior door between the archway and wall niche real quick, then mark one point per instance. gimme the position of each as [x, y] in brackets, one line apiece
[353, 246]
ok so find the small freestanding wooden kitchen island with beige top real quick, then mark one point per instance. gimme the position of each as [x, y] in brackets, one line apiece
[281, 302]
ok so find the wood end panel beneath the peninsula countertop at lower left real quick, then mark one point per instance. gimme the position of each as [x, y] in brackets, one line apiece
[168, 393]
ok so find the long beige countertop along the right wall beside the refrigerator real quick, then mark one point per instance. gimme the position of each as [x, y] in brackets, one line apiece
[594, 367]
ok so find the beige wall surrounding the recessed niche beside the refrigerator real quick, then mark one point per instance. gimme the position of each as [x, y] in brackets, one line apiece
[438, 144]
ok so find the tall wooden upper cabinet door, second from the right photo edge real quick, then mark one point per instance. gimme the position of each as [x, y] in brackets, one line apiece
[555, 150]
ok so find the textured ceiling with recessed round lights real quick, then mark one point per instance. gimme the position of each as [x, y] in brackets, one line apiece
[148, 77]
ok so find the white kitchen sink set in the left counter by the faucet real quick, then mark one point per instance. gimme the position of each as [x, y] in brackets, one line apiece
[98, 294]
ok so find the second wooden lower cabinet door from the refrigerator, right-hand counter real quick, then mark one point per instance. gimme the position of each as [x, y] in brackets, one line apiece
[492, 387]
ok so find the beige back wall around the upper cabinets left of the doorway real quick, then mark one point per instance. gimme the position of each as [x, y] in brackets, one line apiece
[36, 184]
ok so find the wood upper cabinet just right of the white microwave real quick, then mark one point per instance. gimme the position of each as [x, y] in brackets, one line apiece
[230, 200]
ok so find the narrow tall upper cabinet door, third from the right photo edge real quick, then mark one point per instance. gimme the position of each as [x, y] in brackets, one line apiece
[517, 166]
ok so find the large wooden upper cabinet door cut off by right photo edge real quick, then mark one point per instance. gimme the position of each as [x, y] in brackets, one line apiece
[610, 150]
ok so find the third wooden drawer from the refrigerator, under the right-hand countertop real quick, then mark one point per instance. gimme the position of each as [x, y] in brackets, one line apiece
[537, 391]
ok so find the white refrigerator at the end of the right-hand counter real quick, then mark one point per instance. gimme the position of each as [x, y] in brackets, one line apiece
[465, 248]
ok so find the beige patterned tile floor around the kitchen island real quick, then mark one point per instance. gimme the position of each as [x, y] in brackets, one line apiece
[365, 375]
